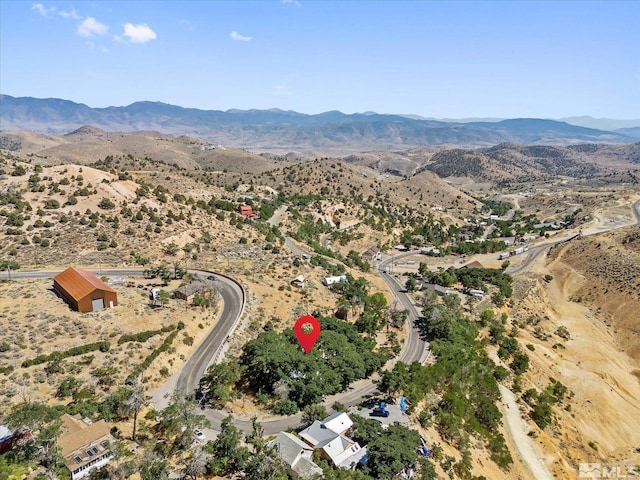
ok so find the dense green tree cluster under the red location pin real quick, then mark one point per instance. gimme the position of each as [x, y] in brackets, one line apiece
[273, 365]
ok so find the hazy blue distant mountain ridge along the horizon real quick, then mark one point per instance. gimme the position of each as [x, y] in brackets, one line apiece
[276, 129]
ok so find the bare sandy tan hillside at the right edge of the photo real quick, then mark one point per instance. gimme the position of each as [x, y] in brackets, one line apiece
[578, 317]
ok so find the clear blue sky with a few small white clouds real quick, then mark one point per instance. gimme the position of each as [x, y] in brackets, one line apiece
[450, 59]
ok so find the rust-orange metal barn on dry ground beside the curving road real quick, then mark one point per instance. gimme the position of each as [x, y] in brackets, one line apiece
[84, 291]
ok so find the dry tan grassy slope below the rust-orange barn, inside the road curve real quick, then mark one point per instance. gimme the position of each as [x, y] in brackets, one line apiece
[33, 321]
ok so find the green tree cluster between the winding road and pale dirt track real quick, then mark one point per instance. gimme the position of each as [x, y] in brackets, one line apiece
[461, 388]
